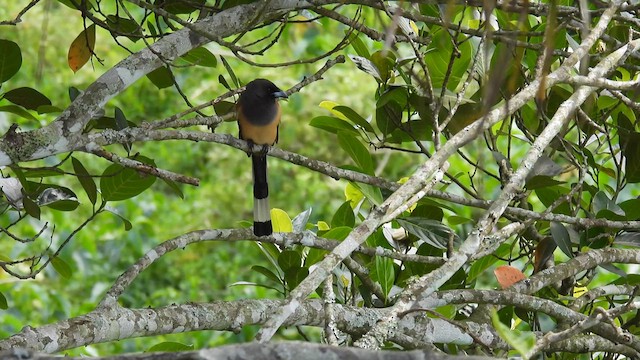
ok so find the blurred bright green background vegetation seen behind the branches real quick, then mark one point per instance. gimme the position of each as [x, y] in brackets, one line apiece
[204, 272]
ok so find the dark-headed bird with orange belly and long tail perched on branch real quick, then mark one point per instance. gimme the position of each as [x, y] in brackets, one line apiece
[259, 115]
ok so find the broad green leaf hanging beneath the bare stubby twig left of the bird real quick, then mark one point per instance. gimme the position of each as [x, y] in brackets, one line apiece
[120, 183]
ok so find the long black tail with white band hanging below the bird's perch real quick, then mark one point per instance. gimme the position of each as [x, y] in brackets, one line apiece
[261, 210]
